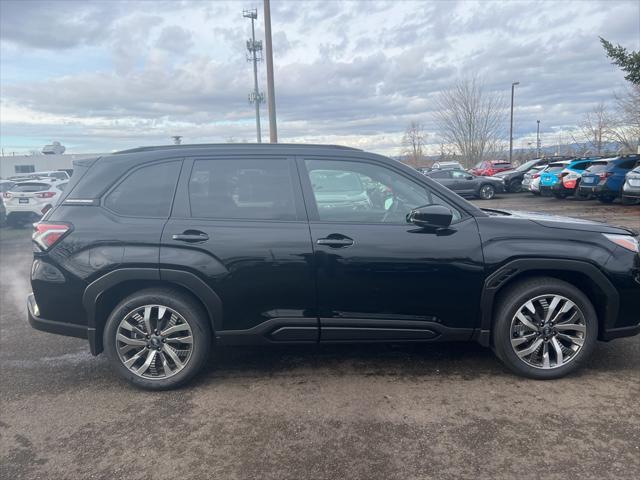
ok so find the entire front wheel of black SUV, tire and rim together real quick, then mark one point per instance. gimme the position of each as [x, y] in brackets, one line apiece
[510, 334]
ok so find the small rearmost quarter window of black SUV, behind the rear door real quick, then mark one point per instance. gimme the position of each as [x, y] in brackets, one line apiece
[146, 192]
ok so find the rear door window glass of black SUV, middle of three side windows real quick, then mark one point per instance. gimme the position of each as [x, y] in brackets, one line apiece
[245, 189]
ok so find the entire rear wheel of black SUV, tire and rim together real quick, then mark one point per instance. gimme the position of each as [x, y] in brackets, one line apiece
[169, 367]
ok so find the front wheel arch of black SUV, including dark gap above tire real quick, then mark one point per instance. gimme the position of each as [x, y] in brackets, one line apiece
[583, 275]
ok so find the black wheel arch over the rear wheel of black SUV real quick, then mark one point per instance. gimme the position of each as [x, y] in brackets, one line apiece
[102, 295]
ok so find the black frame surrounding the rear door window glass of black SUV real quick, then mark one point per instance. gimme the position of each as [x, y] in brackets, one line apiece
[183, 200]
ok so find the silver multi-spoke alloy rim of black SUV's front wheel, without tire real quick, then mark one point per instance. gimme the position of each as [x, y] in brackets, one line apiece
[548, 331]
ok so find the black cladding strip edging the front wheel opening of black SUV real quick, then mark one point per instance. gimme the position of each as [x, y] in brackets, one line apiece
[510, 270]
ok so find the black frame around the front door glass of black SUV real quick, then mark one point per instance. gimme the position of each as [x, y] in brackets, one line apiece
[310, 201]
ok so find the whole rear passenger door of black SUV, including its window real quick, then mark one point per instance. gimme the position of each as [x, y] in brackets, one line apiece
[239, 225]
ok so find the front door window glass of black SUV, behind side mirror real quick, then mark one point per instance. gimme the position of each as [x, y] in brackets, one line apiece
[358, 192]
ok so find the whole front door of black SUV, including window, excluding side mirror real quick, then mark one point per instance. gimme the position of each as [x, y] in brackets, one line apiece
[378, 277]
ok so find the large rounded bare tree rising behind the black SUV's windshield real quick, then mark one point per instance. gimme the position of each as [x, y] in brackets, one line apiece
[471, 119]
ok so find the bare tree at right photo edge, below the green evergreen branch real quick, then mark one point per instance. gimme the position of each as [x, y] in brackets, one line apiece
[625, 129]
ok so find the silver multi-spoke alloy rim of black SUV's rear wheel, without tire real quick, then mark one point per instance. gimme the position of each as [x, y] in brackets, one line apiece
[154, 342]
